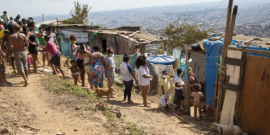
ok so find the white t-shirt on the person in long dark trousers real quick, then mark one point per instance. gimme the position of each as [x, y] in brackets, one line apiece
[125, 70]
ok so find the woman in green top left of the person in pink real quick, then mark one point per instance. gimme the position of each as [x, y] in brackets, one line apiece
[42, 44]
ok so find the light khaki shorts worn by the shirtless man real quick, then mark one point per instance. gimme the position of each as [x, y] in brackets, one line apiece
[21, 60]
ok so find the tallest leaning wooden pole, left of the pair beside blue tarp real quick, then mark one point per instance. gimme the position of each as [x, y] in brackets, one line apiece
[224, 55]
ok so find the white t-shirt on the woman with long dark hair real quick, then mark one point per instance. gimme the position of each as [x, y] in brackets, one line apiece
[143, 71]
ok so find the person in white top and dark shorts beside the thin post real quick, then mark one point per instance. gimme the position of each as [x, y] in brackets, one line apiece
[179, 88]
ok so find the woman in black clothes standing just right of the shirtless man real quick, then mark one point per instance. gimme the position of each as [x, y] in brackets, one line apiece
[33, 44]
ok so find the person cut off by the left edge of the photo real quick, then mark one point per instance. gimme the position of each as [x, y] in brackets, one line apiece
[3, 81]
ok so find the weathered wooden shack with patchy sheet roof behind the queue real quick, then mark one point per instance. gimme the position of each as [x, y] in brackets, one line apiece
[126, 39]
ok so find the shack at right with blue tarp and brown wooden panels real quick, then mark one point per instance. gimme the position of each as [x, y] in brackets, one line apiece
[242, 97]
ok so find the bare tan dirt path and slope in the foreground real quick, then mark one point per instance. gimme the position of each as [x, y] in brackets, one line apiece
[35, 110]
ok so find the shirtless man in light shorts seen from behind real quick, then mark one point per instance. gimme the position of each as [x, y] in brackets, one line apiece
[19, 43]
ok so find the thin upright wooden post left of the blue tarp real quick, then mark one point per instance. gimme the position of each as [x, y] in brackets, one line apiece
[187, 95]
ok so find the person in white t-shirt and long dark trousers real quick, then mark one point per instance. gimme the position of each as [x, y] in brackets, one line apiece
[127, 76]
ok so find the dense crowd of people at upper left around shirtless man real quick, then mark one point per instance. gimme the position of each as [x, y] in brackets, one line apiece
[20, 43]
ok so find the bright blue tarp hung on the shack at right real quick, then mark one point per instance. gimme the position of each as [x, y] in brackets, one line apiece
[211, 68]
